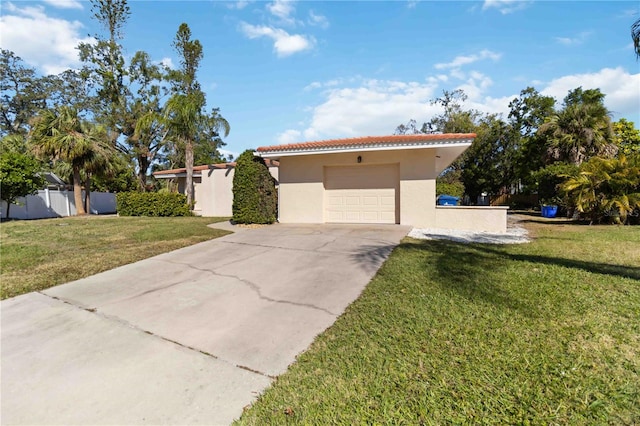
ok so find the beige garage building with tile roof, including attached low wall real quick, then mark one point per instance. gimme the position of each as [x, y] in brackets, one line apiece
[380, 179]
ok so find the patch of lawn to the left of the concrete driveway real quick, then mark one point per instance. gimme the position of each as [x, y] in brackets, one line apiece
[38, 254]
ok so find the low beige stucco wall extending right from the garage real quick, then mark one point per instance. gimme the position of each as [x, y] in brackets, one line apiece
[472, 218]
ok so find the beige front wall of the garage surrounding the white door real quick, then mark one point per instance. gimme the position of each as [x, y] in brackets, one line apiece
[301, 194]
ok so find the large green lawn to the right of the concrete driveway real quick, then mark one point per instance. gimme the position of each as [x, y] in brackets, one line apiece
[448, 333]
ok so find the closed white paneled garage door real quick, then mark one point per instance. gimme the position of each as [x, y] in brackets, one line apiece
[361, 194]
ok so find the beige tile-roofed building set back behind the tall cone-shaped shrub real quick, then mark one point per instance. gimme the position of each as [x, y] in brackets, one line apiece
[212, 186]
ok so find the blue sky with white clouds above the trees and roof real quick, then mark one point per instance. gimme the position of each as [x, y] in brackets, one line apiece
[286, 72]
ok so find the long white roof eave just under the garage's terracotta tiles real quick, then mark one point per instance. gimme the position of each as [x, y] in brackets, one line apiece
[370, 147]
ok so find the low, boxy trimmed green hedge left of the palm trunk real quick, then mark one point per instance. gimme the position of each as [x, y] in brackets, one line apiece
[152, 204]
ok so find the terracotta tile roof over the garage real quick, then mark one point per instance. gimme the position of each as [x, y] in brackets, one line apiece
[367, 141]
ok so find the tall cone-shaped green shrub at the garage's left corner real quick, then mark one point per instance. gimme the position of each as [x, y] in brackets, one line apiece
[254, 191]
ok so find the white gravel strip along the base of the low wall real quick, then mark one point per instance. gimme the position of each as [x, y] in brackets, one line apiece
[515, 235]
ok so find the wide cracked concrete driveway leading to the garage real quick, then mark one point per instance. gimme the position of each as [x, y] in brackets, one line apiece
[187, 337]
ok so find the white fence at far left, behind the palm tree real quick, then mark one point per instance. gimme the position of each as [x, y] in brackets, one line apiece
[53, 203]
